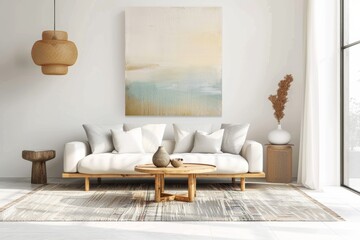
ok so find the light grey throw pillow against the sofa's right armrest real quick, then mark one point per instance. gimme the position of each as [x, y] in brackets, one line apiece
[234, 137]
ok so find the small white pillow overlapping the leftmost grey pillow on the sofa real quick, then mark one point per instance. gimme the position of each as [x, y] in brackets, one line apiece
[128, 142]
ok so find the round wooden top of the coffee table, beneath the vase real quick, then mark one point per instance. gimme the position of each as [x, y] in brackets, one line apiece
[186, 168]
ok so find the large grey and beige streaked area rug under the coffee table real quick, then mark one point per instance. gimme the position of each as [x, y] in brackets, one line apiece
[134, 202]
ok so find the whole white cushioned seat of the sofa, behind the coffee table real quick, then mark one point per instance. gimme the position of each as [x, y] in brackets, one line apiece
[124, 163]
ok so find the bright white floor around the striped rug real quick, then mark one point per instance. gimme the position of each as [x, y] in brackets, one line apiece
[341, 200]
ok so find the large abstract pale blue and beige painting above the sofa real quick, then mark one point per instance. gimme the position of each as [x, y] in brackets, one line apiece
[173, 61]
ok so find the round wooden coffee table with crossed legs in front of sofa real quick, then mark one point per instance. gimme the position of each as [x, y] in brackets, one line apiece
[189, 169]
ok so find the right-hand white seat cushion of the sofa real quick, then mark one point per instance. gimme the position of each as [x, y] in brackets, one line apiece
[226, 163]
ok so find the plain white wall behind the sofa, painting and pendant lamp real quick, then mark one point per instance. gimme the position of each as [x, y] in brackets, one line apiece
[262, 41]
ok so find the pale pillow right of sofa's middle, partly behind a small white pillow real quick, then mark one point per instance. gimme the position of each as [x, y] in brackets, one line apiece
[184, 136]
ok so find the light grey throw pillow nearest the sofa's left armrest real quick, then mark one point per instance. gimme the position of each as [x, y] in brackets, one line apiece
[99, 137]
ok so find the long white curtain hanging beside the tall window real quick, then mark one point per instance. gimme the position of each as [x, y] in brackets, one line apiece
[319, 158]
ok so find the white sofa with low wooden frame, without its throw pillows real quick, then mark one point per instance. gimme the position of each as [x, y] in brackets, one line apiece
[79, 162]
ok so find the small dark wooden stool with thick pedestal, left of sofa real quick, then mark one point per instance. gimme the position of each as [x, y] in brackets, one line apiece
[38, 159]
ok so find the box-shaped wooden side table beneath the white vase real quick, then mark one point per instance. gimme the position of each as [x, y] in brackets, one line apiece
[279, 163]
